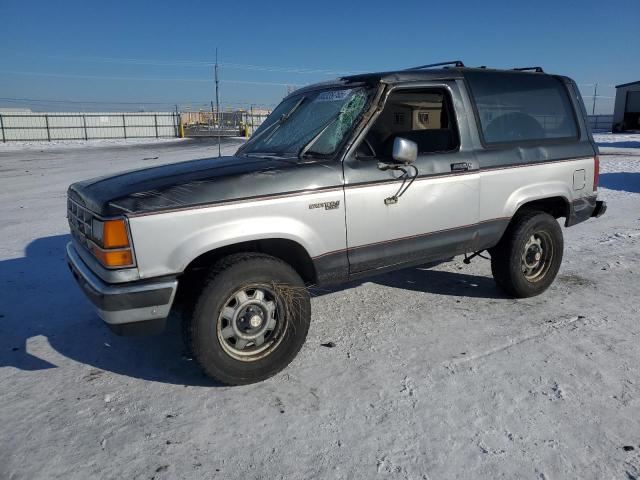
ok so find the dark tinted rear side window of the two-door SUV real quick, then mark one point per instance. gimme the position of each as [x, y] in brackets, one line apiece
[515, 107]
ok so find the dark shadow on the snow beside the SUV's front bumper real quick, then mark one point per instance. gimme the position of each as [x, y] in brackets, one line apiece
[39, 297]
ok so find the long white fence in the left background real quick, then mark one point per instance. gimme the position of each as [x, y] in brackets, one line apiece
[86, 126]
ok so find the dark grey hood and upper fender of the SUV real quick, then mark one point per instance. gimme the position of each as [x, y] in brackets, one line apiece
[203, 182]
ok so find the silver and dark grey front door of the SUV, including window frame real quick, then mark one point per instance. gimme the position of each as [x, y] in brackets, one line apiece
[437, 216]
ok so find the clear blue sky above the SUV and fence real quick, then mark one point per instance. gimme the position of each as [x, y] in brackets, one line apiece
[161, 51]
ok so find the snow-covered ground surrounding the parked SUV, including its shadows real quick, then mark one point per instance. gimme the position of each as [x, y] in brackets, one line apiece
[435, 374]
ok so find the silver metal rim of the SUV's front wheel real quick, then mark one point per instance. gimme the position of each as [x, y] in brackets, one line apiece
[250, 325]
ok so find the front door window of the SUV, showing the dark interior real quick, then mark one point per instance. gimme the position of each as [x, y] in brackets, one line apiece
[420, 115]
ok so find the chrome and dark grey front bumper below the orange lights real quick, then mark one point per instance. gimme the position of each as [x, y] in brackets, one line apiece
[128, 308]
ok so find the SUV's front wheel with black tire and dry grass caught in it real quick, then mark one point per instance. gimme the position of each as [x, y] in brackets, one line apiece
[284, 300]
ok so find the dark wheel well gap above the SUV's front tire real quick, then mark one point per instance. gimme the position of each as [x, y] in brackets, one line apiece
[287, 250]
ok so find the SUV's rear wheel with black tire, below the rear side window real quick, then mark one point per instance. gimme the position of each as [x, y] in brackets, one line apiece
[515, 265]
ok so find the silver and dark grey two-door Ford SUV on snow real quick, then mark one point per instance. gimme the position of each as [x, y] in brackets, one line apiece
[345, 179]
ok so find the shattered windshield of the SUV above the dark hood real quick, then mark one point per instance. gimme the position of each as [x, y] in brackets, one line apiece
[314, 123]
